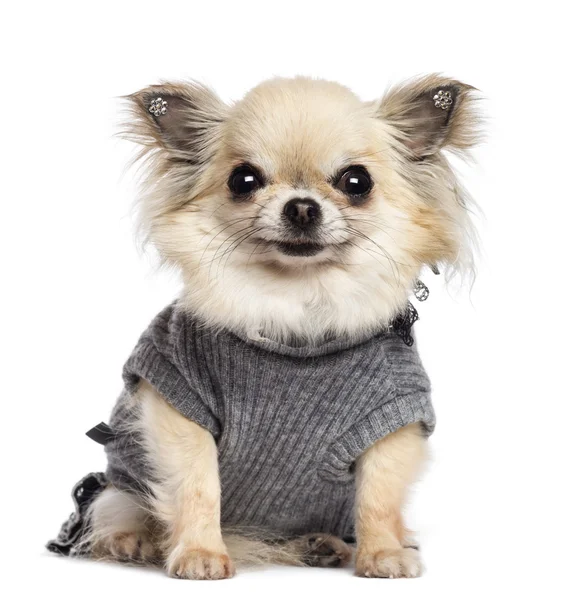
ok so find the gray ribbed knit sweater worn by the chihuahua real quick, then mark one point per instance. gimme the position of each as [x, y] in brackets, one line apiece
[289, 422]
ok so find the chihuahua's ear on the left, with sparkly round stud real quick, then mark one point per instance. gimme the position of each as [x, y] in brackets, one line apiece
[181, 119]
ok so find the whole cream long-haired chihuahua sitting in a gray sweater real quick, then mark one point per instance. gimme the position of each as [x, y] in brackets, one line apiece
[273, 413]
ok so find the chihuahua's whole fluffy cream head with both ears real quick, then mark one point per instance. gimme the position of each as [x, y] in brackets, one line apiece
[301, 210]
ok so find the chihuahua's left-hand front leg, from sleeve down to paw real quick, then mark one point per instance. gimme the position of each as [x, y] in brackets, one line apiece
[186, 489]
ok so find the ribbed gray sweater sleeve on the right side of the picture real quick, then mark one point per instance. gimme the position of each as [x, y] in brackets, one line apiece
[407, 401]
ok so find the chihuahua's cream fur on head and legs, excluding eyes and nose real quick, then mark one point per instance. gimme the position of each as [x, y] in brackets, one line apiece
[299, 135]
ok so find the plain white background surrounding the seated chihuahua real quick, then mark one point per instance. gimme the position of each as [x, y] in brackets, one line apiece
[499, 509]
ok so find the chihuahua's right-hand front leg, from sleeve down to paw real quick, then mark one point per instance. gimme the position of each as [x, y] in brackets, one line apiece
[383, 474]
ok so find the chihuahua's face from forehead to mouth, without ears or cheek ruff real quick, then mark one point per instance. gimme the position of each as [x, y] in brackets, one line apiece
[303, 164]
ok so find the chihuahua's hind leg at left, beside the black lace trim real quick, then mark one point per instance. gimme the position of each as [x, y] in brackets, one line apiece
[120, 528]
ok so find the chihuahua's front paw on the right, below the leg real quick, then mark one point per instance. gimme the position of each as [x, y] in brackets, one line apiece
[391, 563]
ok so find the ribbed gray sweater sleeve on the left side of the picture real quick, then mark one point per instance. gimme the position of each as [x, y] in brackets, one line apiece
[158, 359]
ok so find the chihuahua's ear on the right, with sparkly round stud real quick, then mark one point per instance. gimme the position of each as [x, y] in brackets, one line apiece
[432, 113]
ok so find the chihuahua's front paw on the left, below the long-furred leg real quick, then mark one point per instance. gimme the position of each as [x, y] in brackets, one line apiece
[199, 563]
